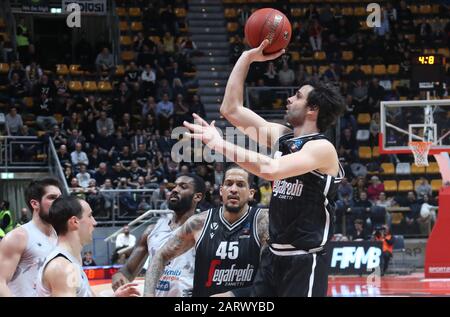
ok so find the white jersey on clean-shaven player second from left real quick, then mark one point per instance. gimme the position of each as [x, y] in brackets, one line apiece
[83, 288]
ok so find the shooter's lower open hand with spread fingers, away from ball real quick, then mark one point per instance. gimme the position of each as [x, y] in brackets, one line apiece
[203, 131]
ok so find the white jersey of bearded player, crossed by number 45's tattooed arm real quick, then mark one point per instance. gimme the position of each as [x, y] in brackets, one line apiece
[177, 279]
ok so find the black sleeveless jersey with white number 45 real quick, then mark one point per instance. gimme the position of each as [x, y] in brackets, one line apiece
[227, 255]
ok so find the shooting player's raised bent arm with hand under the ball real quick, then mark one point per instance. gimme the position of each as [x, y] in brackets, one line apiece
[232, 108]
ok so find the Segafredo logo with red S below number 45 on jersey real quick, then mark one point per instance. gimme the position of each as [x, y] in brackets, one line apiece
[231, 277]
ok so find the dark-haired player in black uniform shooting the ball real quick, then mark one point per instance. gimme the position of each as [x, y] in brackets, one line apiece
[305, 170]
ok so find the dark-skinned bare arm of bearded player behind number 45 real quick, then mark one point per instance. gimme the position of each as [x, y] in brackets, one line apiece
[134, 263]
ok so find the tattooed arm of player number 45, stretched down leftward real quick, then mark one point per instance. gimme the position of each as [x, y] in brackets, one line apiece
[183, 240]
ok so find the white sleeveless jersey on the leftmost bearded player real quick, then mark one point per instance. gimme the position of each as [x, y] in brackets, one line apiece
[23, 282]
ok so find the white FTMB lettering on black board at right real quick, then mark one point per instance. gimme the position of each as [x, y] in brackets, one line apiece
[356, 256]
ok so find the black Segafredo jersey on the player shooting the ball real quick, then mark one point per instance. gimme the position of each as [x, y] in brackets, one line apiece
[301, 207]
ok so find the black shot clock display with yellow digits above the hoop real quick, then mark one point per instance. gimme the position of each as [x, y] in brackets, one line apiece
[428, 71]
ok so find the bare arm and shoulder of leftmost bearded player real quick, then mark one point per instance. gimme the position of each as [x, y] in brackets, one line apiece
[11, 249]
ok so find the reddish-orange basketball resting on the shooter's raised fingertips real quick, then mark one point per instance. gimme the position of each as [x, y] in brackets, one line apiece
[269, 24]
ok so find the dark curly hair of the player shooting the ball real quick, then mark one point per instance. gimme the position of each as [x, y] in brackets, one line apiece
[327, 98]
